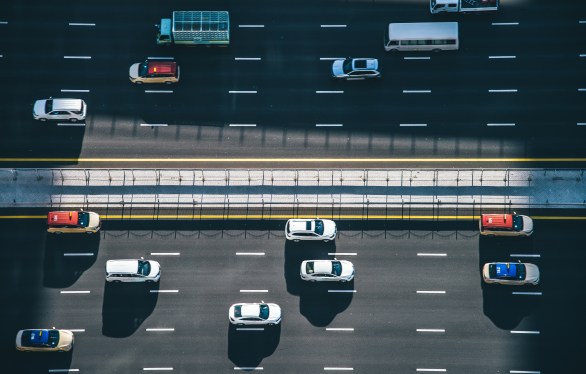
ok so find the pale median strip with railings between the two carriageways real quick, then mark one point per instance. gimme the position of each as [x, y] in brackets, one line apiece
[280, 193]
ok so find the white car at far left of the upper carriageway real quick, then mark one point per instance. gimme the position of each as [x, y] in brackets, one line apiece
[60, 109]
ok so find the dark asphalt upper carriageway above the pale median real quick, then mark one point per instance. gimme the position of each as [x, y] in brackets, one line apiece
[513, 95]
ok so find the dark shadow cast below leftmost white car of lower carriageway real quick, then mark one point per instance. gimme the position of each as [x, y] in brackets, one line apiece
[126, 306]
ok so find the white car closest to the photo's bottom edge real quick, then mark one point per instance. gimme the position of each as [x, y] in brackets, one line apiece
[254, 314]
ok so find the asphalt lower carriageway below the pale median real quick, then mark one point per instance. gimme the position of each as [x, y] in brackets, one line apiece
[417, 301]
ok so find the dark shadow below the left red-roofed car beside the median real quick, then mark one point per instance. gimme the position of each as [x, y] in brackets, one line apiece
[67, 257]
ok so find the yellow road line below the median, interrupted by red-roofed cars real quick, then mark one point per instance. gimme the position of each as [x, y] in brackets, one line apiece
[279, 216]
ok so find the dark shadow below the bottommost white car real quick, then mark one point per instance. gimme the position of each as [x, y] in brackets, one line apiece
[247, 348]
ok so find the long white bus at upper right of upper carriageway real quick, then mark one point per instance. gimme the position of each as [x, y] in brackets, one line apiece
[423, 36]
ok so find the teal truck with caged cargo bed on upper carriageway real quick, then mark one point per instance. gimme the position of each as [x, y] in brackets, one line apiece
[191, 27]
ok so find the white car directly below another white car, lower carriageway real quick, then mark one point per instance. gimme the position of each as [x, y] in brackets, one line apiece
[327, 270]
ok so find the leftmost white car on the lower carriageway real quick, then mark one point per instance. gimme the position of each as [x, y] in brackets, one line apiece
[141, 270]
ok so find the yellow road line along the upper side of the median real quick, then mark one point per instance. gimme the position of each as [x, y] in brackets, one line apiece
[296, 160]
